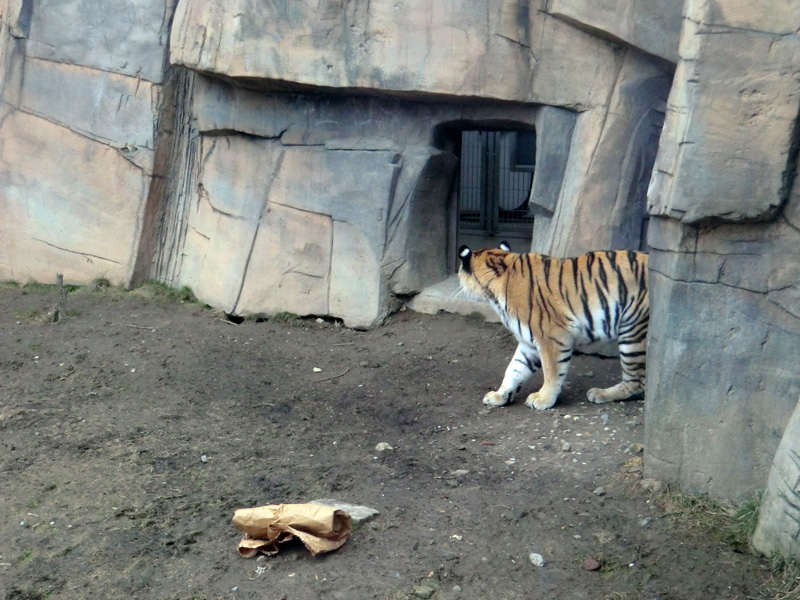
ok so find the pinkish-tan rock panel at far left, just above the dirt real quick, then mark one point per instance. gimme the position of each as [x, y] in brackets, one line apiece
[70, 204]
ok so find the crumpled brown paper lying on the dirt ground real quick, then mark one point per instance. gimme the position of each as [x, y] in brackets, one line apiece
[320, 528]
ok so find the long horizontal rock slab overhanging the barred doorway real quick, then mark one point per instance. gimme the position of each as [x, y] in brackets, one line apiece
[490, 50]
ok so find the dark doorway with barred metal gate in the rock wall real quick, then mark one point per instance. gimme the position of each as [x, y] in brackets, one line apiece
[494, 186]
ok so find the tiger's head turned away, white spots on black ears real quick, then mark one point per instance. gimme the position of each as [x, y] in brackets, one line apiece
[482, 273]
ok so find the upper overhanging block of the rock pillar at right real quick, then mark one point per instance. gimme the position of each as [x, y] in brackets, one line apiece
[730, 122]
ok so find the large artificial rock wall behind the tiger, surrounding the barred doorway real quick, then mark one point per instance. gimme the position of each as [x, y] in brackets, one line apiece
[292, 156]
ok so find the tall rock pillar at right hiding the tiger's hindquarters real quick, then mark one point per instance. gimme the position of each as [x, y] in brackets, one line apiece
[723, 373]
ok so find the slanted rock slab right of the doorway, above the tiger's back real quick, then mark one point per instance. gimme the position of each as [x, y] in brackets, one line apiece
[611, 155]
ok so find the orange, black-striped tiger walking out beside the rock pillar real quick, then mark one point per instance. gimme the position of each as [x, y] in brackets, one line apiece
[551, 305]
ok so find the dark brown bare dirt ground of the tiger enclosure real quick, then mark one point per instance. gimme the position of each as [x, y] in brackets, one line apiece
[105, 418]
